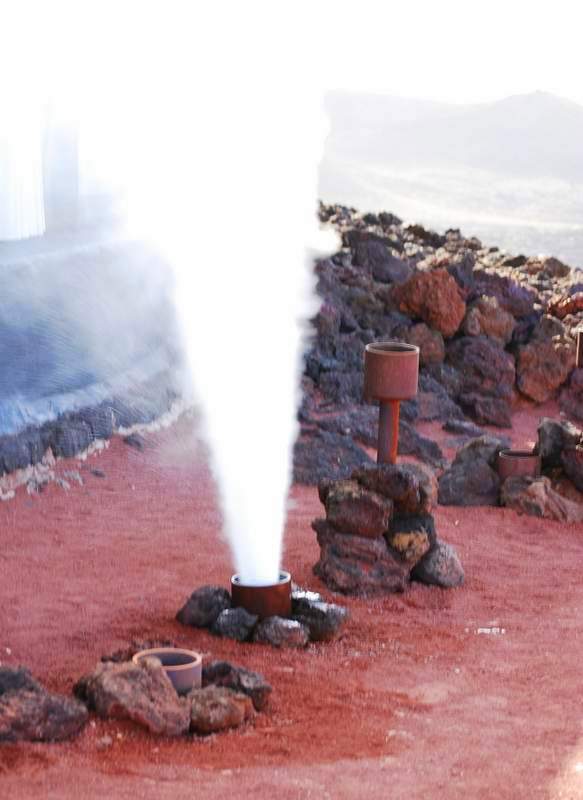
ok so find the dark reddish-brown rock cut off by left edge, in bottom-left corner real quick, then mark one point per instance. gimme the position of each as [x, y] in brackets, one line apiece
[37, 716]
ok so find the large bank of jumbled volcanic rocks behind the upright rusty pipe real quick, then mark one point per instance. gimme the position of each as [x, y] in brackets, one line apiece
[491, 327]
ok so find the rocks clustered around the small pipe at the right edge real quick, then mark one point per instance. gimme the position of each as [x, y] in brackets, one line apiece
[473, 479]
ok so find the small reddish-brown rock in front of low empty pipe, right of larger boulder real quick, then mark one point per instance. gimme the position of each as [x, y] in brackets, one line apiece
[216, 708]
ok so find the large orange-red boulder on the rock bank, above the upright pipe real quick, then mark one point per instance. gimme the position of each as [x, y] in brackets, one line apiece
[433, 297]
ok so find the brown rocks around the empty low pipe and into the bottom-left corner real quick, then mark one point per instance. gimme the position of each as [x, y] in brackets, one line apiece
[141, 693]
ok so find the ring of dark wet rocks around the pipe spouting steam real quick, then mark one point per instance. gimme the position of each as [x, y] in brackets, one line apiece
[312, 618]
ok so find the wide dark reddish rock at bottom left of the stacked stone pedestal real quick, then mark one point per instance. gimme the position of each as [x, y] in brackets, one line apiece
[356, 565]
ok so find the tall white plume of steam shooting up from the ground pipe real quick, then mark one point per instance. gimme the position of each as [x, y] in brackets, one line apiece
[235, 167]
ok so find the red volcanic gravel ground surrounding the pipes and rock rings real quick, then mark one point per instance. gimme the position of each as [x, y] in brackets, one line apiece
[420, 698]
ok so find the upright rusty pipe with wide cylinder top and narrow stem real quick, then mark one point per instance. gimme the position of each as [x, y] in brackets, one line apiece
[391, 373]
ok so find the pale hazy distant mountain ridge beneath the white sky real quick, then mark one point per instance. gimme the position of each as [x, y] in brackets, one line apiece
[531, 135]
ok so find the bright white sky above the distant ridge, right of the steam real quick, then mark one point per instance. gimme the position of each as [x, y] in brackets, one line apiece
[459, 50]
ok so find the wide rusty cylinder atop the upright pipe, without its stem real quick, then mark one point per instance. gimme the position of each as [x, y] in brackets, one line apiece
[391, 371]
